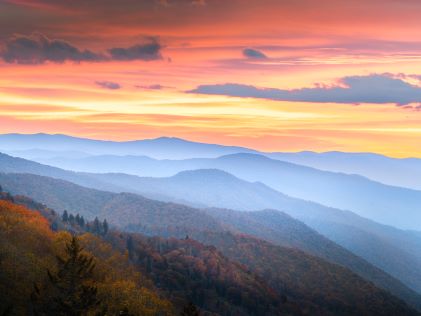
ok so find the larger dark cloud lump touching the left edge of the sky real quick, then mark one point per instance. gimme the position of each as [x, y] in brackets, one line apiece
[37, 49]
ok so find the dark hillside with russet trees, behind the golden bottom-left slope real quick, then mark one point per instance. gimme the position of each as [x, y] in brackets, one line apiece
[282, 273]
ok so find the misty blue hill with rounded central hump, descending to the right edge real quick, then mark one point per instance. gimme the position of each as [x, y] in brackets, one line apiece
[395, 251]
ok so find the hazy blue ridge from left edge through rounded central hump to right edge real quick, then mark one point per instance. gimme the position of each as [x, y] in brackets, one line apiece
[213, 188]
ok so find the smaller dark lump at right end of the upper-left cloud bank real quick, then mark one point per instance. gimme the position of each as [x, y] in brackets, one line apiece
[150, 50]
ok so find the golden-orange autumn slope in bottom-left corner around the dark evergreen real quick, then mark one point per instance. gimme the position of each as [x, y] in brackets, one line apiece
[29, 247]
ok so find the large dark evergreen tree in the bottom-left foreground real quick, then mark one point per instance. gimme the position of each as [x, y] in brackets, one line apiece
[72, 292]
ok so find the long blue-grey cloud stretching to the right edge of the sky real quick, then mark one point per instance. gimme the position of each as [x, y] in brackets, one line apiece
[375, 88]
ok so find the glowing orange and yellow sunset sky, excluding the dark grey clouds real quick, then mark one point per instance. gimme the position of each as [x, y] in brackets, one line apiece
[307, 48]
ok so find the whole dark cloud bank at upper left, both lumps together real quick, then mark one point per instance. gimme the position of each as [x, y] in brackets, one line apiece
[38, 49]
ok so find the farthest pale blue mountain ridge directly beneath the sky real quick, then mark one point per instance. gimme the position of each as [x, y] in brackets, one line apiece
[43, 147]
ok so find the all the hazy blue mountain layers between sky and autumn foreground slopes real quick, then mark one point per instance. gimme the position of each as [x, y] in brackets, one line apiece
[171, 187]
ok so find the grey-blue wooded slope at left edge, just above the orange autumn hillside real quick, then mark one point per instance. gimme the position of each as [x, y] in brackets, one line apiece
[121, 209]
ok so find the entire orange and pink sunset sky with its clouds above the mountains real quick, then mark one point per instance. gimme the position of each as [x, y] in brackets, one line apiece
[274, 75]
